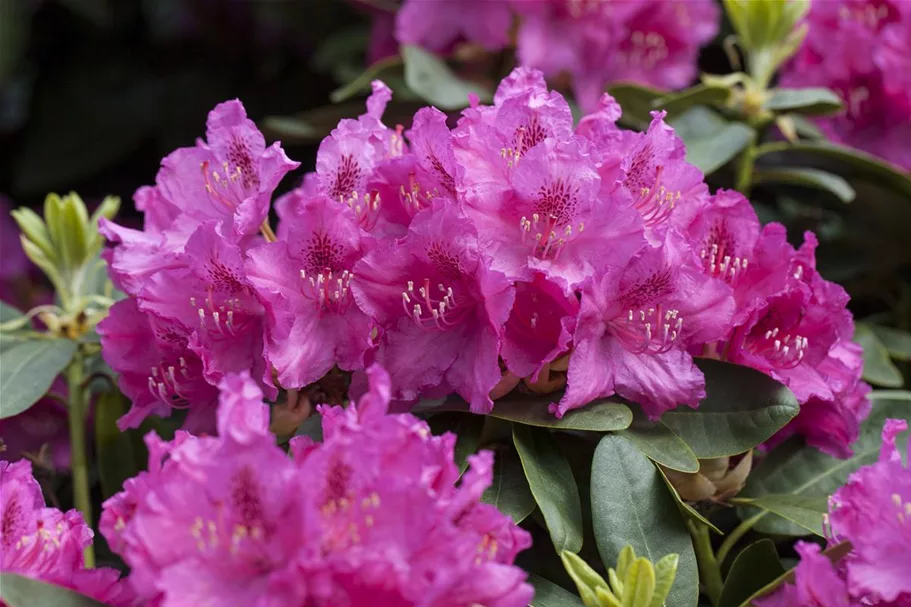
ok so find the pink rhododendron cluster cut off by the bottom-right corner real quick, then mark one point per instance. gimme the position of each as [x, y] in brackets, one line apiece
[872, 512]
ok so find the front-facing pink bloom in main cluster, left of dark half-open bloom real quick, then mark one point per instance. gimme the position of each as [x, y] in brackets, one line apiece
[441, 307]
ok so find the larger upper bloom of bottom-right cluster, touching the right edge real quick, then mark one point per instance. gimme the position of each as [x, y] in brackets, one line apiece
[873, 512]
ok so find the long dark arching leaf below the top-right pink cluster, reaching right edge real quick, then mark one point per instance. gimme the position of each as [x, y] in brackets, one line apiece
[864, 165]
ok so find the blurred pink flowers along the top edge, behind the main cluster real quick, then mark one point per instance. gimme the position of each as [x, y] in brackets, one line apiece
[651, 42]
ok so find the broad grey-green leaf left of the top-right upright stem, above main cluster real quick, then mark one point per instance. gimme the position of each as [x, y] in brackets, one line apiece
[711, 141]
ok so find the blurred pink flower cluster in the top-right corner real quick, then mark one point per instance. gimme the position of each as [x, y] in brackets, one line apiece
[859, 48]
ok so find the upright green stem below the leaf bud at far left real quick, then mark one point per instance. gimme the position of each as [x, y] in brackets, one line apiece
[79, 461]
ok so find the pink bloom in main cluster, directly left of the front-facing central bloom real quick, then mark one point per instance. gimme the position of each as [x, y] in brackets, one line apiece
[304, 279]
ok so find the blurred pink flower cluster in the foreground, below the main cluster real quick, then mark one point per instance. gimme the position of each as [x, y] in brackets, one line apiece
[372, 515]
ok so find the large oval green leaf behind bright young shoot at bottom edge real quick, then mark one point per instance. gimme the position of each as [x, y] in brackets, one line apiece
[631, 505]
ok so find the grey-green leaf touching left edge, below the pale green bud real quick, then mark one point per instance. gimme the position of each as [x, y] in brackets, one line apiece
[28, 369]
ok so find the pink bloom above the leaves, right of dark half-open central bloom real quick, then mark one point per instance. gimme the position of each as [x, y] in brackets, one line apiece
[634, 327]
